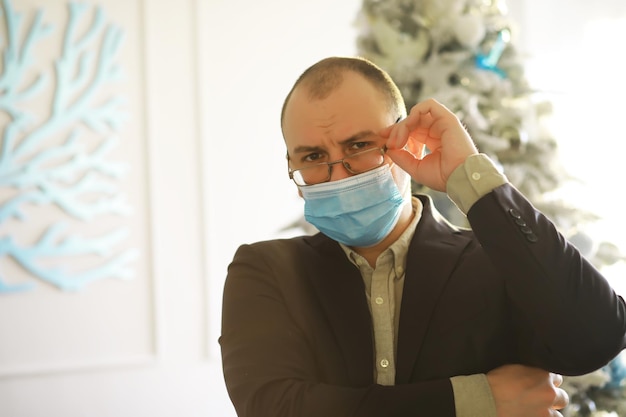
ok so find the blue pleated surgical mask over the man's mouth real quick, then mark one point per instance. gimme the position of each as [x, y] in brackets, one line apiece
[357, 211]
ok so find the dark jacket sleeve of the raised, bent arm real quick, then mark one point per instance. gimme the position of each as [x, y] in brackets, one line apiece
[569, 318]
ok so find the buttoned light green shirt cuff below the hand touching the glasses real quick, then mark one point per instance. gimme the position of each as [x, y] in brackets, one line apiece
[473, 179]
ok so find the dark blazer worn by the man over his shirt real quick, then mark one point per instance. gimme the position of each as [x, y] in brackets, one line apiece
[297, 334]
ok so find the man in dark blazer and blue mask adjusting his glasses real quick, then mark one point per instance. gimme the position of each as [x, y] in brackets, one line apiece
[391, 310]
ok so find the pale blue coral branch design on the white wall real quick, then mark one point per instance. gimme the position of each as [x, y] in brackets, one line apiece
[77, 175]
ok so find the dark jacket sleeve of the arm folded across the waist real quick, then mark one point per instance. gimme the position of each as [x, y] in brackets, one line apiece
[270, 368]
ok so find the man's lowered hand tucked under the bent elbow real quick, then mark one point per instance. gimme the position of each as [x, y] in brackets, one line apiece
[521, 391]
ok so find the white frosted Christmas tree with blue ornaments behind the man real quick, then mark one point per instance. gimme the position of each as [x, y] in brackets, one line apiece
[462, 53]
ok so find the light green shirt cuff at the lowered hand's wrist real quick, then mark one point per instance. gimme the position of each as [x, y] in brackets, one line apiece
[472, 396]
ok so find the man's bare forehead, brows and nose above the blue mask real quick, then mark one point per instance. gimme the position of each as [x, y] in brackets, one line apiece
[330, 129]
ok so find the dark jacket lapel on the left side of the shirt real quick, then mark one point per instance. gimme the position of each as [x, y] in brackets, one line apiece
[341, 292]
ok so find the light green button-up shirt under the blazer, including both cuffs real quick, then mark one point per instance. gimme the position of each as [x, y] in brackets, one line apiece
[384, 283]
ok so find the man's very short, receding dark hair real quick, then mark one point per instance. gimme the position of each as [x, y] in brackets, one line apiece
[325, 76]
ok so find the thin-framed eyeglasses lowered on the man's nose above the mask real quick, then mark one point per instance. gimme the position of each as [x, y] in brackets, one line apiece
[357, 163]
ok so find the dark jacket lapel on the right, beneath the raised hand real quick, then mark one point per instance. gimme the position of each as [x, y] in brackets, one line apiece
[433, 254]
